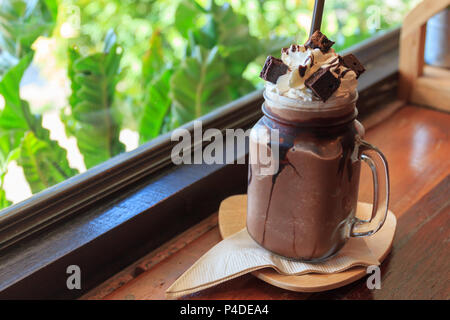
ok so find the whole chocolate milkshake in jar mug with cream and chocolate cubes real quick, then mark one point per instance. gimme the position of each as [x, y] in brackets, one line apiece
[305, 207]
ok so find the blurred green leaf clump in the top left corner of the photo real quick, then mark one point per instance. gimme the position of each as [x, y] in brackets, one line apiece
[21, 23]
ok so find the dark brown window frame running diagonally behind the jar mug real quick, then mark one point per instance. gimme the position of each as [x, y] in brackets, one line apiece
[35, 233]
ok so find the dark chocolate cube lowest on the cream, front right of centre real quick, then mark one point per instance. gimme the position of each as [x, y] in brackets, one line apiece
[323, 83]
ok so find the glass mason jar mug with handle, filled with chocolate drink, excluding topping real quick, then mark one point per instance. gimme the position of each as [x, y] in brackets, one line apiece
[302, 195]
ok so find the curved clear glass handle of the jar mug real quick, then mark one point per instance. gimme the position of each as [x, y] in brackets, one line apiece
[375, 159]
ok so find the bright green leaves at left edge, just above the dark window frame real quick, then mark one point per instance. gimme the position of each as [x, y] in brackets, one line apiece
[23, 138]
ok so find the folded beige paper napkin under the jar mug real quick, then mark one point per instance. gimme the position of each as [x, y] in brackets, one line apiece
[240, 254]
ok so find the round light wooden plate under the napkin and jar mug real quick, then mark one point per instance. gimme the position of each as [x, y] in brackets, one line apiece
[232, 218]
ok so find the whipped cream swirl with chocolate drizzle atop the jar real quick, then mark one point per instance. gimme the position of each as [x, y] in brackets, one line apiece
[292, 84]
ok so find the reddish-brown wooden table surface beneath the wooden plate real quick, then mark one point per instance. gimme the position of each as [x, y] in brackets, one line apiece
[416, 143]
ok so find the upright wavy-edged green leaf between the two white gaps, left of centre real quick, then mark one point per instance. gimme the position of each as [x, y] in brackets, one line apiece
[92, 120]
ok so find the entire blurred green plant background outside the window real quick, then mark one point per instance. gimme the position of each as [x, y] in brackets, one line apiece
[84, 80]
